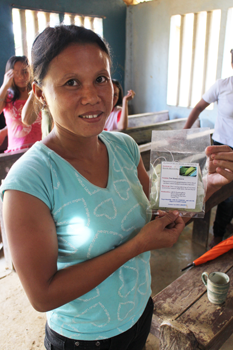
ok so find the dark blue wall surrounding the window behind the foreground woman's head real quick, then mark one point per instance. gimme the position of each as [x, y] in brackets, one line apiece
[113, 25]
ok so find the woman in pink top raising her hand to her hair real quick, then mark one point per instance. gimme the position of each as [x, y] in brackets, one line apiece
[13, 96]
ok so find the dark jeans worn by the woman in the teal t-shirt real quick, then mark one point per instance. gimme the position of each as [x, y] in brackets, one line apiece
[132, 339]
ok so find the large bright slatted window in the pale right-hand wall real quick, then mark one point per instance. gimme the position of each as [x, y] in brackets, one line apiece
[193, 52]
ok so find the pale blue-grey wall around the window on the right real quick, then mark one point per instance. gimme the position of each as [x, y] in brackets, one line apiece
[147, 47]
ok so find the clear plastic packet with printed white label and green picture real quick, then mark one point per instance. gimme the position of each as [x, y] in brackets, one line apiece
[177, 167]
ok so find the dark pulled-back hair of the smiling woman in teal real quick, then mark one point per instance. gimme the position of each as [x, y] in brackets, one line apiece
[52, 41]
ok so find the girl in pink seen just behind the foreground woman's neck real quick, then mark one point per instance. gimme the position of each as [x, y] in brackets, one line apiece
[118, 118]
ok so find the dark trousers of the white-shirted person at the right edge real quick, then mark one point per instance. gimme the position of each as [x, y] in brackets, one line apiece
[224, 213]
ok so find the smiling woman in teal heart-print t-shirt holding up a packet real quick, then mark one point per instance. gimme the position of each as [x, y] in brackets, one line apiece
[81, 236]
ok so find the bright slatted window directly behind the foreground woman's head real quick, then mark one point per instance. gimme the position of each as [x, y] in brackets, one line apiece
[28, 23]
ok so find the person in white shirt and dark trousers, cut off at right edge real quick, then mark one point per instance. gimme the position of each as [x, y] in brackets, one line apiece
[222, 93]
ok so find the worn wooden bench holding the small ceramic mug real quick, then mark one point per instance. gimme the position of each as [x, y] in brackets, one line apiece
[183, 316]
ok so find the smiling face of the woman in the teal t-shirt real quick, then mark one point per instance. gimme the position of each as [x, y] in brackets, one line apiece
[78, 90]
